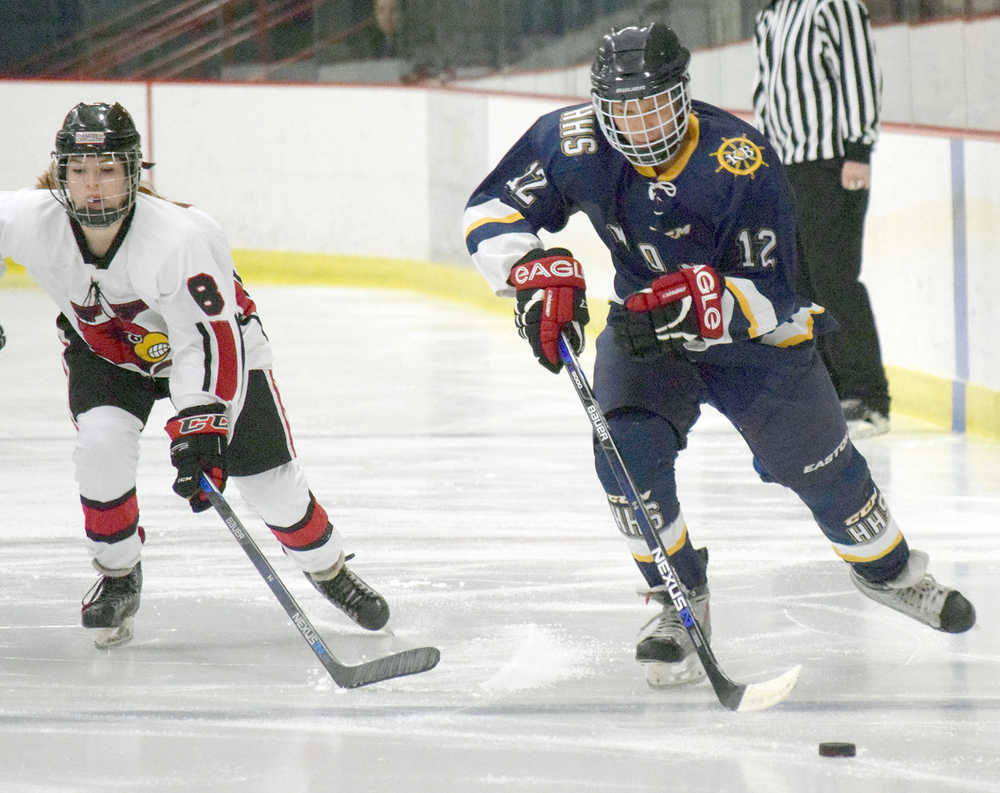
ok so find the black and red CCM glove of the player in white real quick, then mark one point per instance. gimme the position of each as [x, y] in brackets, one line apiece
[198, 445]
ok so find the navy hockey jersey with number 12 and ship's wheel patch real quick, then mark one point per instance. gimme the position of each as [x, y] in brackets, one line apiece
[724, 201]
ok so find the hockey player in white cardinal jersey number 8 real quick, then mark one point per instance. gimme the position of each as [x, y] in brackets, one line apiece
[151, 307]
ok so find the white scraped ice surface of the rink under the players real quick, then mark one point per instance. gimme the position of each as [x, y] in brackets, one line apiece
[460, 473]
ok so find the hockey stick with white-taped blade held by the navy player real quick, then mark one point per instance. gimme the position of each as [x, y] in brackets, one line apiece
[735, 696]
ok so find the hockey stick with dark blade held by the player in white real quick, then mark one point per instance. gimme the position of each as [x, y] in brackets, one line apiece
[408, 662]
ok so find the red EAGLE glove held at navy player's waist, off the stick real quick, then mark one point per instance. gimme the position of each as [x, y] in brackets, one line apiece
[675, 308]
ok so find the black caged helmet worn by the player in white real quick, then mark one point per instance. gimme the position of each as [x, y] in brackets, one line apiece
[107, 133]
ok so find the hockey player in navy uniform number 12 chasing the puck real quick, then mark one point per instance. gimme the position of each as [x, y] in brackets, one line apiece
[696, 213]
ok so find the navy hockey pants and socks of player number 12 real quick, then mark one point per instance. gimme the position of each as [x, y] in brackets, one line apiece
[783, 404]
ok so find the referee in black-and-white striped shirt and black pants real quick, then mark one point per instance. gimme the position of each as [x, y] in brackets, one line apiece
[817, 97]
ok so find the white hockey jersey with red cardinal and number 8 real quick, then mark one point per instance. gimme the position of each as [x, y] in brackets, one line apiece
[167, 302]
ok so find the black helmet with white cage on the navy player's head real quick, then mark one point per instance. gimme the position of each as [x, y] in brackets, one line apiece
[642, 63]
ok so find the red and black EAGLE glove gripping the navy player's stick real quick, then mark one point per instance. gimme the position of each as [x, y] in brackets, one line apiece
[551, 296]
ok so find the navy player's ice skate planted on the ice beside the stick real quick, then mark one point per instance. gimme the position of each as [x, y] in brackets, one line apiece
[664, 647]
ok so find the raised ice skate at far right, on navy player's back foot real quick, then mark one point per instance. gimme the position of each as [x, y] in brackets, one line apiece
[915, 593]
